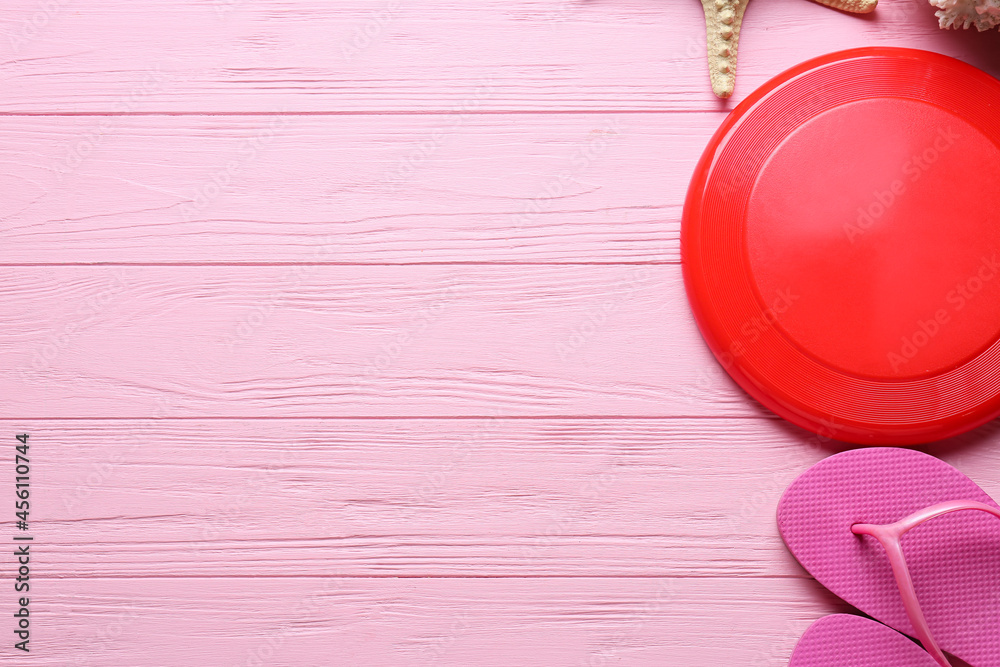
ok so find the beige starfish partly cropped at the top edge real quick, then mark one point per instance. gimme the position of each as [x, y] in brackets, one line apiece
[723, 18]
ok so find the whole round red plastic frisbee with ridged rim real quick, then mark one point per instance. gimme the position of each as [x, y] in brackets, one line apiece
[841, 246]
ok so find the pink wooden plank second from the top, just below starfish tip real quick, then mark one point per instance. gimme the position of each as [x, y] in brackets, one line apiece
[345, 189]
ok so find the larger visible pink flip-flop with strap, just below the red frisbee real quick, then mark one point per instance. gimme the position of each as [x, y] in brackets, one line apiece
[845, 520]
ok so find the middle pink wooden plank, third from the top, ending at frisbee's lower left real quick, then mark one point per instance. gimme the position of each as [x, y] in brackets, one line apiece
[314, 341]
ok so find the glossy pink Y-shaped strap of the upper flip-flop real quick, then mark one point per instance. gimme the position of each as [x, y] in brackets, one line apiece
[889, 536]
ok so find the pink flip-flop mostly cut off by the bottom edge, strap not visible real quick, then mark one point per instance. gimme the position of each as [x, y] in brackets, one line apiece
[843, 640]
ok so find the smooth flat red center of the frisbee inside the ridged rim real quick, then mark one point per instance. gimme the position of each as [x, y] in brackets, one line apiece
[876, 226]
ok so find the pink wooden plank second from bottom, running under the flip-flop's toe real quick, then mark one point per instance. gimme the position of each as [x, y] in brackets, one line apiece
[426, 497]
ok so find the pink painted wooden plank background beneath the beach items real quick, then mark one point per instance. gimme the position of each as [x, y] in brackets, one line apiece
[353, 333]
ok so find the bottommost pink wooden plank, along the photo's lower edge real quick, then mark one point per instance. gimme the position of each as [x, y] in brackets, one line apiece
[264, 621]
